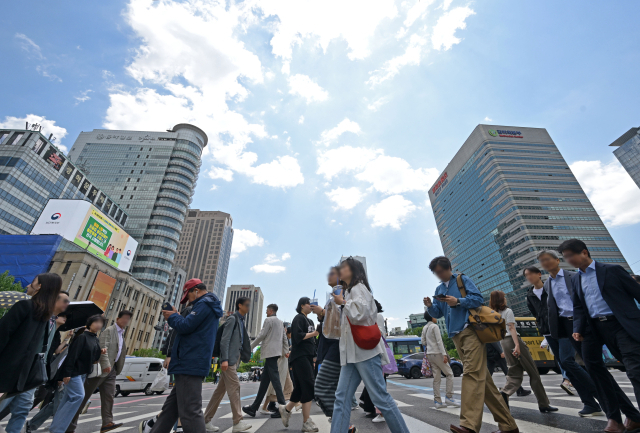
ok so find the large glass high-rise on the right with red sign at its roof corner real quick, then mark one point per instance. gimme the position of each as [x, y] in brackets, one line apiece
[507, 194]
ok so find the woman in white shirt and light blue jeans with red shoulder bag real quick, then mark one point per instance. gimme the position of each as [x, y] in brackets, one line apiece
[358, 364]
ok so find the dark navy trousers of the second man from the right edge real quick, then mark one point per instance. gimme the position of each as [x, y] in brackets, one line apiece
[580, 379]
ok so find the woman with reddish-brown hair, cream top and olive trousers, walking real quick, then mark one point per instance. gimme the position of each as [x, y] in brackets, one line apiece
[518, 357]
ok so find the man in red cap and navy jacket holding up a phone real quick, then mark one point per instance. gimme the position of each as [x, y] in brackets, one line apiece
[190, 359]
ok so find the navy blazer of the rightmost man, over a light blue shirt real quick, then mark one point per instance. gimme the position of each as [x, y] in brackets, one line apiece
[619, 290]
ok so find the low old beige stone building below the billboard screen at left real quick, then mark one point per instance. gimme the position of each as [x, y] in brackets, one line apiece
[80, 270]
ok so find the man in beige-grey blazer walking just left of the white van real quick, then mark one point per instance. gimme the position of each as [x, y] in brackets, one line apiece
[111, 362]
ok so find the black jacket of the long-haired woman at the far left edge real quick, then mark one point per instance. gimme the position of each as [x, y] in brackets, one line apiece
[21, 338]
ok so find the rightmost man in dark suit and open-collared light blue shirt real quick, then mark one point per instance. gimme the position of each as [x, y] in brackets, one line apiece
[604, 312]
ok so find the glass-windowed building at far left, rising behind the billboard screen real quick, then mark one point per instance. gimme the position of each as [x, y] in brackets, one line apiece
[32, 171]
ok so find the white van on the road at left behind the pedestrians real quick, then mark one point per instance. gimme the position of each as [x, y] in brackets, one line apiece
[137, 375]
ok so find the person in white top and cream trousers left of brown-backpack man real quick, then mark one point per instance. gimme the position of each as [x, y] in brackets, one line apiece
[437, 356]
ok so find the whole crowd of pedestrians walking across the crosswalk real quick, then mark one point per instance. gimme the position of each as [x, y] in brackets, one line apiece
[325, 363]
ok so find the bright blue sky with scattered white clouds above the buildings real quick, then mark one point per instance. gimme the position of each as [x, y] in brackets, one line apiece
[328, 121]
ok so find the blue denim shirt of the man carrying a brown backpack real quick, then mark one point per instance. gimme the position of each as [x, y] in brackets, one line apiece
[456, 317]
